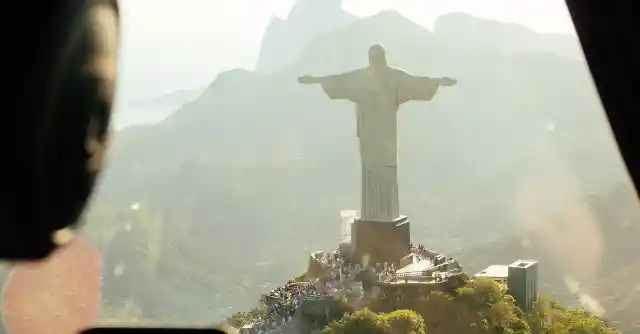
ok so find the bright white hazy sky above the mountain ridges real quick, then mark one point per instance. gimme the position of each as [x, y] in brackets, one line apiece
[176, 44]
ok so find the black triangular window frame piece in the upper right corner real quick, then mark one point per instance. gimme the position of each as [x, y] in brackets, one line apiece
[608, 36]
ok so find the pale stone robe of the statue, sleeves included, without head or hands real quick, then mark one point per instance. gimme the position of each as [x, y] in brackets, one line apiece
[377, 94]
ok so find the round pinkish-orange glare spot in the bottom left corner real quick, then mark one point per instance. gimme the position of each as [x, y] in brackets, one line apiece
[60, 294]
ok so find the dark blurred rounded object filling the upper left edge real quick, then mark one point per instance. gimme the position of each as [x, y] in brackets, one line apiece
[62, 106]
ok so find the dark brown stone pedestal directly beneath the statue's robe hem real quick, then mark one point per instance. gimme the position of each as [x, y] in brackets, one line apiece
[383, 241]
